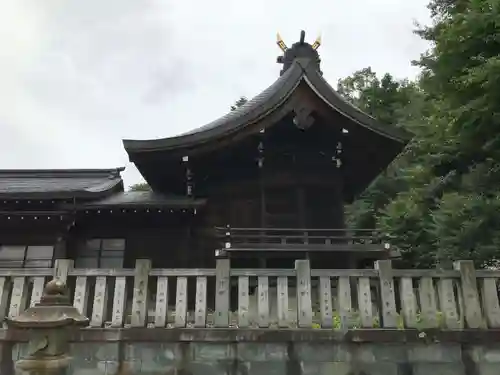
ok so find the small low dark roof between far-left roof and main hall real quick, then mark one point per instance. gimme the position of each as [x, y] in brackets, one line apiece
[136, 199]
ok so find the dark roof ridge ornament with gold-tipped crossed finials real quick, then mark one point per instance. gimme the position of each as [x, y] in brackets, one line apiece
[300, 49]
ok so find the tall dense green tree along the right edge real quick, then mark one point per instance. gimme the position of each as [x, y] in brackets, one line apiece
[451, 207]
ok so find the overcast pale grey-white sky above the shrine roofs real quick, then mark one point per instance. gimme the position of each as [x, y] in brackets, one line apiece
[76, 77]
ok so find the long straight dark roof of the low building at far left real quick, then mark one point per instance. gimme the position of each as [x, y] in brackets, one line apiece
[59, 183]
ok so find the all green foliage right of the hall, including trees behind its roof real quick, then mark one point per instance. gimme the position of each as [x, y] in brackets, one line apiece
[440, 200]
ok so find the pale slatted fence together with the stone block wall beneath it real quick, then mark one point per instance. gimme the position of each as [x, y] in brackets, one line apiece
[382, 321]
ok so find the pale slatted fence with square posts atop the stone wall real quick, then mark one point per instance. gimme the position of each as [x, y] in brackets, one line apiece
[382, 297]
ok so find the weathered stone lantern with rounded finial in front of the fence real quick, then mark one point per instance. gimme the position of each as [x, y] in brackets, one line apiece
[49, 323]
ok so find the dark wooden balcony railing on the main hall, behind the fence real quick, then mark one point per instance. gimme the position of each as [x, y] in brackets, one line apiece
[272, 240]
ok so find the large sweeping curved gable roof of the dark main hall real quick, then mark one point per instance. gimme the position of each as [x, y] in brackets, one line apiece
[302, 70]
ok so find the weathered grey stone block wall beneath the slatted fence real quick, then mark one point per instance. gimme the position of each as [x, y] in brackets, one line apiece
[284, 358]
